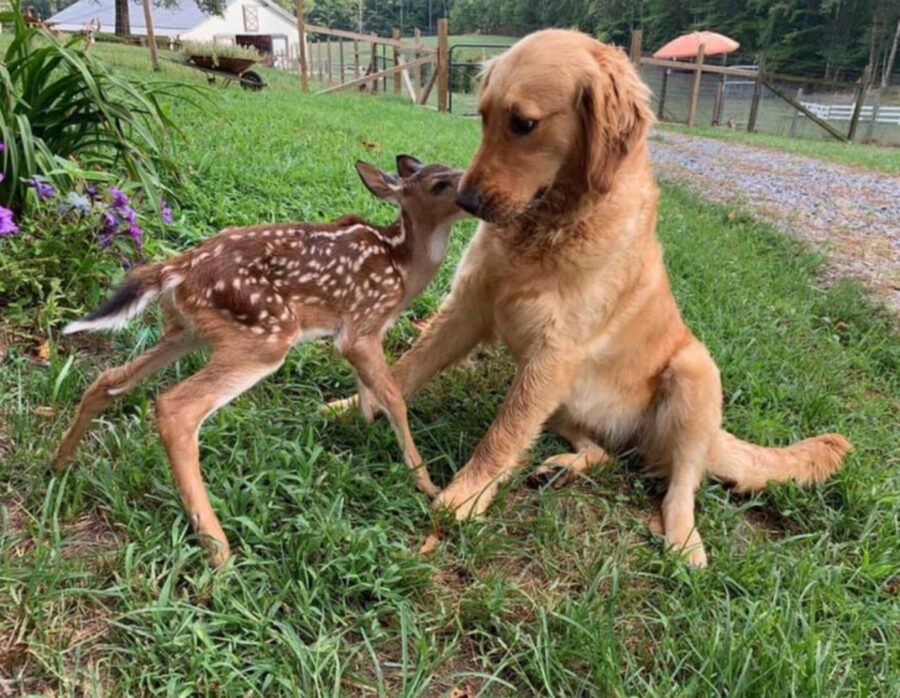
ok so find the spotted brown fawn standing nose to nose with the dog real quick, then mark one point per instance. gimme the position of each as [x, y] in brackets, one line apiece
[250, 294]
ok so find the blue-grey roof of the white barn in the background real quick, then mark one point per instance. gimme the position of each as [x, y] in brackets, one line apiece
[167, 21]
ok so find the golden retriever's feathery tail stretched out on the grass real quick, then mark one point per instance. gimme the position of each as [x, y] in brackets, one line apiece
[750, 467]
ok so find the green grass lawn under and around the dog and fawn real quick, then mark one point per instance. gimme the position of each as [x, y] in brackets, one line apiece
[103, 589]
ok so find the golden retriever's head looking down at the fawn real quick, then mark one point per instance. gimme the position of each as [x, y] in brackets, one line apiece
[559, 110]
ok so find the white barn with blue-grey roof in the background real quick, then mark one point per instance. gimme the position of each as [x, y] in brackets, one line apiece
[260, 24]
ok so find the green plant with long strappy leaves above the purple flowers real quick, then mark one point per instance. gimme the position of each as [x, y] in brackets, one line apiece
[64, 117]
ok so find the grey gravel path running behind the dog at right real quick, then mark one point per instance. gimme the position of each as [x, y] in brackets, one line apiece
[850, 214]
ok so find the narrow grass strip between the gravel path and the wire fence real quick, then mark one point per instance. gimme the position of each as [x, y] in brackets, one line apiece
[881, 158]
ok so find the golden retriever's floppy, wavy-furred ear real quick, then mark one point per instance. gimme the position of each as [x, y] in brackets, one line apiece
[615, 106]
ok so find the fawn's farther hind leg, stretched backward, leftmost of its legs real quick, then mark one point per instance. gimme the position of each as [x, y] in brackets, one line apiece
[115, 382]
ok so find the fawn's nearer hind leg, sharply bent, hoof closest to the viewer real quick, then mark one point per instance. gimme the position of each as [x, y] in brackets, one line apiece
[182, 409]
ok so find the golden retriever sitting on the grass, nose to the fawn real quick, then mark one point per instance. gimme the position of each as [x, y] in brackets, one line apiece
[567, 271]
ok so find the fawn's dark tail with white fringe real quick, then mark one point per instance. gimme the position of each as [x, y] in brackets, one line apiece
[128, 300]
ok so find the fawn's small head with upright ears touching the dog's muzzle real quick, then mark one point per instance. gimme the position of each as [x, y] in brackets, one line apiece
[426, 193]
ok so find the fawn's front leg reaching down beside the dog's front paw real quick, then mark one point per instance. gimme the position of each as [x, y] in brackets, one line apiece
[367, 357]
